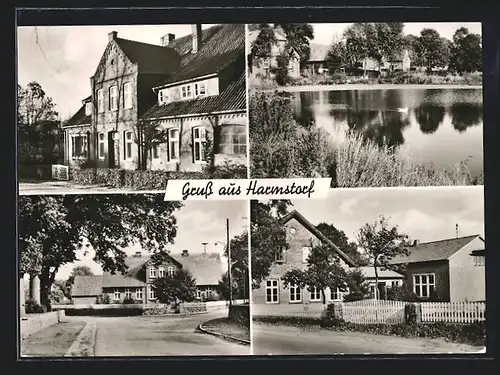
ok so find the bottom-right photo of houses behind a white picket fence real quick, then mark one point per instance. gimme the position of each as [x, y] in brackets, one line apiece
[378, 271]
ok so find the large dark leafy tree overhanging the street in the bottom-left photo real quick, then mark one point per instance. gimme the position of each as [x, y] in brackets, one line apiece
[52, 229]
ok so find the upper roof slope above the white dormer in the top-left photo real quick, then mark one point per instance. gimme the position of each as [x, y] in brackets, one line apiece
[221, 45]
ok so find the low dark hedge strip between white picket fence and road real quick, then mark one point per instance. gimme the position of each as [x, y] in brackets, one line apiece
[473, 334]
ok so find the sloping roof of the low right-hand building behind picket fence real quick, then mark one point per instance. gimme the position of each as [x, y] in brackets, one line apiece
[434, 251]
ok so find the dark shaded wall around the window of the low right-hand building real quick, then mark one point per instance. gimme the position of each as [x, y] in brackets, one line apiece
[441, 276]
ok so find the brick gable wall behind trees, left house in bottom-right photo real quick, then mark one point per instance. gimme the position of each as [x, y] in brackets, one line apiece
[293, 260]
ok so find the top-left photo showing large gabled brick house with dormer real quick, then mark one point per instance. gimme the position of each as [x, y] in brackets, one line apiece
[113, 108]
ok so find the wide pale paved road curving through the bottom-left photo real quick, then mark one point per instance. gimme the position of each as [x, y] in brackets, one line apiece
[159, 336]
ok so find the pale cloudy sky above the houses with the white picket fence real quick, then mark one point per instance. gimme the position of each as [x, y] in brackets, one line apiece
[426, 214]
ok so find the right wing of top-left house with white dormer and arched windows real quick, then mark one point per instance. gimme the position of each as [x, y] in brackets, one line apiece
[202, 106]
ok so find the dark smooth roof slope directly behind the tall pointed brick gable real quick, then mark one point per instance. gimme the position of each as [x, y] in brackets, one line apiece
[149, 57]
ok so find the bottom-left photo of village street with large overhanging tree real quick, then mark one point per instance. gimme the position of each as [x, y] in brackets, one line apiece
[132, 275]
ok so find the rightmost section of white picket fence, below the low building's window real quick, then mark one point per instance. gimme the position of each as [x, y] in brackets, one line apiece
[453, 312]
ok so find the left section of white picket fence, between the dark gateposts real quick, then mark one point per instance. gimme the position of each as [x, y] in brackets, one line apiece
[374, 312]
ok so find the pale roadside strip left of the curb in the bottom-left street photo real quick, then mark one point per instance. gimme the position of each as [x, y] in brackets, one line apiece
[53, 341]
